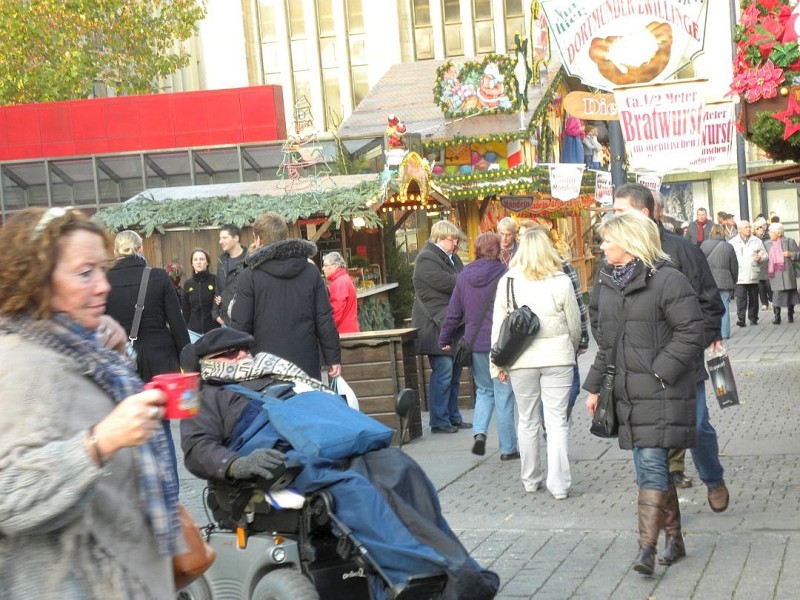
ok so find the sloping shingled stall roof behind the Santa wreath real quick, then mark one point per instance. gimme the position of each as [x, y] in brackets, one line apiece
[406, 90]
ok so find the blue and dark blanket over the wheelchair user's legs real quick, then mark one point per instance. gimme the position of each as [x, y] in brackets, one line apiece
[365, 510]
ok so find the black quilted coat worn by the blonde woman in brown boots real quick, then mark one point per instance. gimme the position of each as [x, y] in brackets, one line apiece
[662, 335]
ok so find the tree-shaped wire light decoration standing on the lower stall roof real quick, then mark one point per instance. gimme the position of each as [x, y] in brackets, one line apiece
[303, 167]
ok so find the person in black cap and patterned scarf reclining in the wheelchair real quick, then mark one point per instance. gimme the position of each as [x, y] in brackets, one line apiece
[381, 498]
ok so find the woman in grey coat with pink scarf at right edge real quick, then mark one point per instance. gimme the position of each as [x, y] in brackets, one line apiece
[783, 254]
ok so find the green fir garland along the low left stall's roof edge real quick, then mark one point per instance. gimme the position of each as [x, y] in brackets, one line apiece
[149, 215]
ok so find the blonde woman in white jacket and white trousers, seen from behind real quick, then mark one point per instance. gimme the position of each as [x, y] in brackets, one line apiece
[543, 373]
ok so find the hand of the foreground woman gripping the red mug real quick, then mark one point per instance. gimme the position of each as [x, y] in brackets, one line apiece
[131, 423]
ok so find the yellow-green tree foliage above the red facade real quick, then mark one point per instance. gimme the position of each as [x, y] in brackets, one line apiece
[54, 50]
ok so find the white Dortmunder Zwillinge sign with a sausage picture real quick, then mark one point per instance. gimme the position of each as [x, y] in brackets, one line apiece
[609, 43]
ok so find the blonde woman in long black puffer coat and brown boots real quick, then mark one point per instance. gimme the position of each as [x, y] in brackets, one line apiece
[662, 341]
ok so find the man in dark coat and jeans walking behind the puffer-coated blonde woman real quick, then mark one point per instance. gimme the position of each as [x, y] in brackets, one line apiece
[689, 260]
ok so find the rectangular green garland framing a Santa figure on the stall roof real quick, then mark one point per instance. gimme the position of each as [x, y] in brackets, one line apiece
[485, 87]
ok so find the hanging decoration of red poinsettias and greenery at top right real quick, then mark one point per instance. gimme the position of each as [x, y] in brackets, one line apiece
[766, 76]
